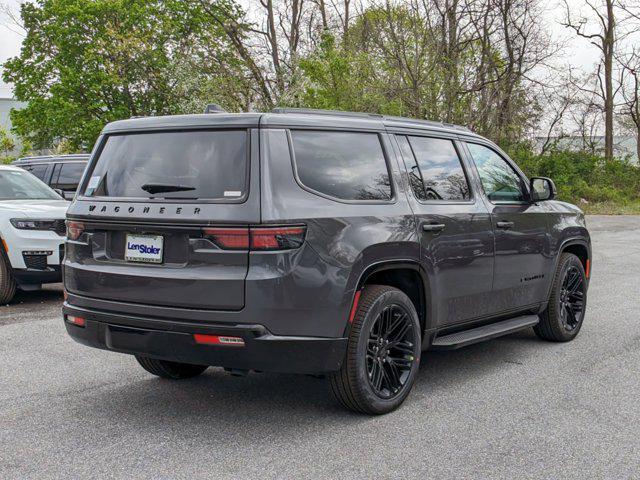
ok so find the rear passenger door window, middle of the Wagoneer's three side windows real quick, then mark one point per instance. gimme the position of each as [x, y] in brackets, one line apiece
[439, 167]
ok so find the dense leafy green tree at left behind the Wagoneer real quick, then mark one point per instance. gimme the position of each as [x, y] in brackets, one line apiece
[84, 63]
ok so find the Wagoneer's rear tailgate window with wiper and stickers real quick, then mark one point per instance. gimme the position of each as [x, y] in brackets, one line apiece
[188, 165]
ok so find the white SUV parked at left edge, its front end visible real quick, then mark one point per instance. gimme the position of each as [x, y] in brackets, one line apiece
[32, 227]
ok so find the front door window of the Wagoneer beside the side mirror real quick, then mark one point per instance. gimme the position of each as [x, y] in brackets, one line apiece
[499, 180]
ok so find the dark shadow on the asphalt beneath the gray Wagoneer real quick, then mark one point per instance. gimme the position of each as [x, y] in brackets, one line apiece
[218, 401]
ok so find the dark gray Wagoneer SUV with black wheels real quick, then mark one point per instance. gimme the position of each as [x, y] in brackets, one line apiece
[314, 242]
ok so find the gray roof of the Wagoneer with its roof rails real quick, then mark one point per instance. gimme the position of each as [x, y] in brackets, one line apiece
[285, 117]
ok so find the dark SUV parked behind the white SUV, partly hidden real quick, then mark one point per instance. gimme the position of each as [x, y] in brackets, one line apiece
[60, 172]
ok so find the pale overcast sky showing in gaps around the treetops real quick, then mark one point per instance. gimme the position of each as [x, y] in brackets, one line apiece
[578, 52]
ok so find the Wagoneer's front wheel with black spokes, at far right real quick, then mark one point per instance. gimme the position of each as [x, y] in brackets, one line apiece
[563, 318]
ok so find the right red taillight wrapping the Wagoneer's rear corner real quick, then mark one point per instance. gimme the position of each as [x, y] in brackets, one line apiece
[256, 238]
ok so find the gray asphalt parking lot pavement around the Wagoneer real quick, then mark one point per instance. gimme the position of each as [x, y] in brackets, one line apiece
[515, 407]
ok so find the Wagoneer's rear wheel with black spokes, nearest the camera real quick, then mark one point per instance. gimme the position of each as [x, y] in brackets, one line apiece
[383, 353]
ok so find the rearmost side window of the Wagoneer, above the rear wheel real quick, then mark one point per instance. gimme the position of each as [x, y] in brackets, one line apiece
[345, 165]
